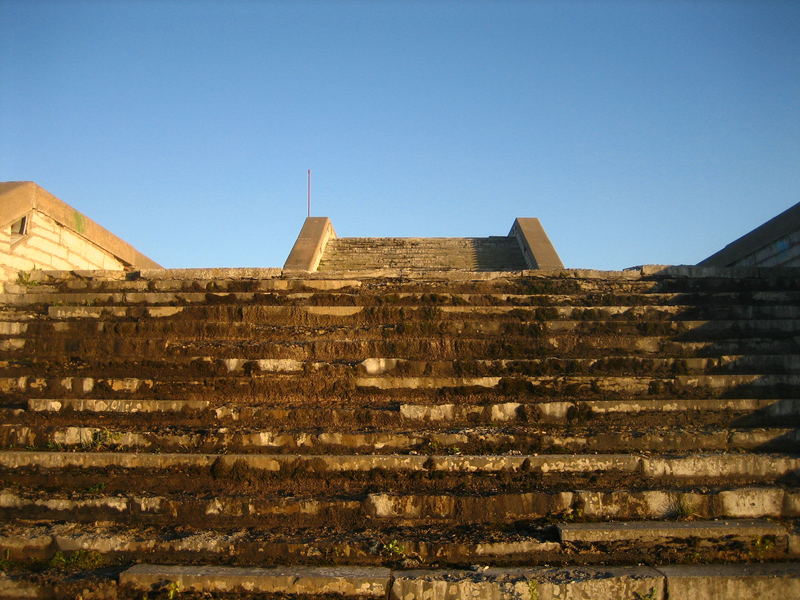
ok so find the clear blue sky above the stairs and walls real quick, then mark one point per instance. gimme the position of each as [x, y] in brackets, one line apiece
[638, 132]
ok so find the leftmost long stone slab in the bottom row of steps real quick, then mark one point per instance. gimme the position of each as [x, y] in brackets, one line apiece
[371, 582]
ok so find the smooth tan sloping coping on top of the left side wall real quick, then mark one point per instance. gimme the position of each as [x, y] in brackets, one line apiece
[18, 202]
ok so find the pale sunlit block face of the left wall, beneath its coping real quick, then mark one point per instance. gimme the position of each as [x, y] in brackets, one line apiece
[49, 245]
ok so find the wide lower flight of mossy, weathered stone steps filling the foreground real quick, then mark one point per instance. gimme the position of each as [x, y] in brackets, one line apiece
[249, 433]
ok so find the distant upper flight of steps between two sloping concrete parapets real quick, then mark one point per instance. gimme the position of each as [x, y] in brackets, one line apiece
[469, 254]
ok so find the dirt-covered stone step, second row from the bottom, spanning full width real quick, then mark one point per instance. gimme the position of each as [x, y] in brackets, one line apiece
[406, 547]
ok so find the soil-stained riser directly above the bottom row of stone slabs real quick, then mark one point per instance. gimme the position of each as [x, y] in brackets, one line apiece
[373, 551]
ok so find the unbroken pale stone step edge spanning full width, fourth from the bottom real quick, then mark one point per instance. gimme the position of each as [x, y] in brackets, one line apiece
[706, 467]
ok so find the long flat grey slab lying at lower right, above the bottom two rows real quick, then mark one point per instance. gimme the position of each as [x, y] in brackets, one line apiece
[648, 531]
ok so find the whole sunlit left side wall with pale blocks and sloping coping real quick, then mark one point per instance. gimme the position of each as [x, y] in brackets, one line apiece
[38, 231]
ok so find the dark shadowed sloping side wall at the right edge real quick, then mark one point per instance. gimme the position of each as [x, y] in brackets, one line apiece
[776, 243]
